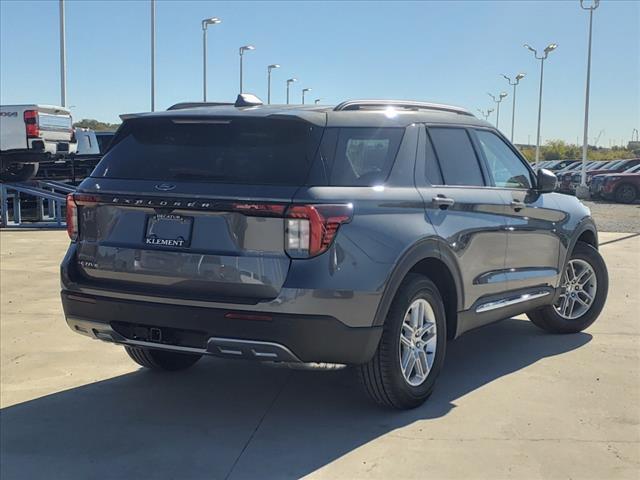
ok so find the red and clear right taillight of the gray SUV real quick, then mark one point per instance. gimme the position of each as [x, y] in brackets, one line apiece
[310, 229]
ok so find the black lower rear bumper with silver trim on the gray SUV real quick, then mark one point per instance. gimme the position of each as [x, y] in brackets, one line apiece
[282, 337]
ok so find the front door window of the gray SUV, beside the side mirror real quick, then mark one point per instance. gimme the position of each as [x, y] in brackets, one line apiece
[507, 169]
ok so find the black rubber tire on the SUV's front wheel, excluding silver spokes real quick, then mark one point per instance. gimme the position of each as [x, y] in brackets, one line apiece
[549, 318]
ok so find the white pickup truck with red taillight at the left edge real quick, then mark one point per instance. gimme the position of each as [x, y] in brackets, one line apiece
[30, 134]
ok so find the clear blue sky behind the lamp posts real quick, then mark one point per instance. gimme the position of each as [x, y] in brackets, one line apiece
[449, 52]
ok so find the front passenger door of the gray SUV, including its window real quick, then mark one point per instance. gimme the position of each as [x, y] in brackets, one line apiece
[533, 219]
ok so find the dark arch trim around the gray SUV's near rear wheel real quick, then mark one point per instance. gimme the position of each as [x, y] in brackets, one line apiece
[431, 258]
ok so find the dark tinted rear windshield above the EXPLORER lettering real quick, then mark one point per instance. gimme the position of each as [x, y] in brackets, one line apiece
[237, 151]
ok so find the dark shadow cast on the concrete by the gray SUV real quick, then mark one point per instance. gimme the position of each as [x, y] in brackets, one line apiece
[226, 419]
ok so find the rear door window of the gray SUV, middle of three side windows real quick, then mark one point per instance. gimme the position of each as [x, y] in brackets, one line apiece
[456, 156]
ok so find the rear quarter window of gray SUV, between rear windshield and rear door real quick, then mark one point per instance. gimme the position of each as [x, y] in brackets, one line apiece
[364, 156]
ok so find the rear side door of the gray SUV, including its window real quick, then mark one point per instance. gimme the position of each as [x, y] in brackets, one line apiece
[463, 211]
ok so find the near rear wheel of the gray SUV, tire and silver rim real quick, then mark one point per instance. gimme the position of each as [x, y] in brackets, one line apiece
[403, 371]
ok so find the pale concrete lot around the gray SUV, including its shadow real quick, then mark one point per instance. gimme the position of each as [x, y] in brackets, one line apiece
[513, 402]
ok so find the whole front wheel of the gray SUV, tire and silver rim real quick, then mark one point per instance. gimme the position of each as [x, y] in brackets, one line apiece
[585, 284]
